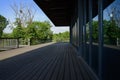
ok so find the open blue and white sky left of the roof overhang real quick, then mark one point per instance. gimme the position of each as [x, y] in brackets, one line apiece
[7, 12]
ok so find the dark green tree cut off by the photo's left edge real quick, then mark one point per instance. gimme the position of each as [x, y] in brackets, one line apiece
[3, 24]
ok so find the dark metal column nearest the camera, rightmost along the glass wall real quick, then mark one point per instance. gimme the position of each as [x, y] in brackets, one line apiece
[100, 18]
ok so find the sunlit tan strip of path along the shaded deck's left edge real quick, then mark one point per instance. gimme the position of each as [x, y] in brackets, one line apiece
[14, 52]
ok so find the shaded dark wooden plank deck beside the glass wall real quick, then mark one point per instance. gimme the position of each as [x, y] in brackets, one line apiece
[53, 62]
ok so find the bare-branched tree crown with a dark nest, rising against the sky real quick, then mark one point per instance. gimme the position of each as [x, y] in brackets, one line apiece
[24, 14]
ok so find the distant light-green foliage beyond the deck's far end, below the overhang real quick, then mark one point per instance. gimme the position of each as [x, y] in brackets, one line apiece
[61, 37]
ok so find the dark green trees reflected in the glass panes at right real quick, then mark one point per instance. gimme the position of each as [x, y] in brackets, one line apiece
[111, 32]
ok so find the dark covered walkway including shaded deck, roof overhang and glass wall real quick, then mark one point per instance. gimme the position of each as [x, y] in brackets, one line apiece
[62, 61]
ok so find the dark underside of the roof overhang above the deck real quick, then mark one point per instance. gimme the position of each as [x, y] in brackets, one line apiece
[61, 11]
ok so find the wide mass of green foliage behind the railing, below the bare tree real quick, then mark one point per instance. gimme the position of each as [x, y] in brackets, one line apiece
[36, 31]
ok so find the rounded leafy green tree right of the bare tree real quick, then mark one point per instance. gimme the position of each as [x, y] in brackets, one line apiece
[39, 32]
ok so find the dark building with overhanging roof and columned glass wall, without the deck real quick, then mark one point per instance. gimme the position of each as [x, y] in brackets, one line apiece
[78, 15]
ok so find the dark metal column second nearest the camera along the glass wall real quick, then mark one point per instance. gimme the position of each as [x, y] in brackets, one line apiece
[90, 32]
